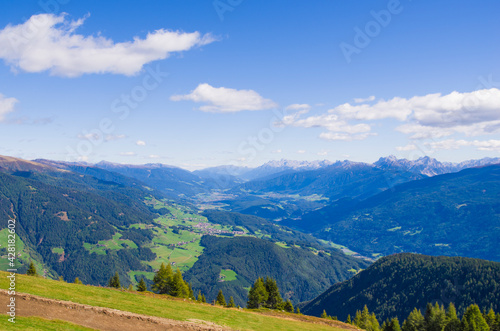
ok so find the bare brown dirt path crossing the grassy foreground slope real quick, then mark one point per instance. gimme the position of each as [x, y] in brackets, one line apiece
[97, 317]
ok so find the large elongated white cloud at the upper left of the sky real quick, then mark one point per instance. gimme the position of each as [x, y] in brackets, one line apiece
[47, 42]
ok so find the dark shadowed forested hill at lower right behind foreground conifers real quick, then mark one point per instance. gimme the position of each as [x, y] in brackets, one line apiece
[396, 284]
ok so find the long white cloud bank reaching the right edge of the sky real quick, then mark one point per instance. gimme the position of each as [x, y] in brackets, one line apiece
[429, 116]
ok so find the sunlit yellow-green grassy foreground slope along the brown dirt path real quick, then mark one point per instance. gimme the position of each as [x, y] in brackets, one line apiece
[161, 306]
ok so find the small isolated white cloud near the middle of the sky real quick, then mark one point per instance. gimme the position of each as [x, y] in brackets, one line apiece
[225, 100]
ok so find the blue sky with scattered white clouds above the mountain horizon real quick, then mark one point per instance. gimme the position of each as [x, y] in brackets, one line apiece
[244, 82]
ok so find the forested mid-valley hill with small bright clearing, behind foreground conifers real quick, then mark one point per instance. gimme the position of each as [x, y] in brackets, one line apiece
[299, 272]
